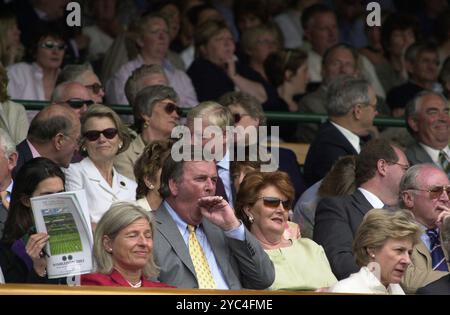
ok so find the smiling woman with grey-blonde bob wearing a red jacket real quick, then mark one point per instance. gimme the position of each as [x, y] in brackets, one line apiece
[123, 249]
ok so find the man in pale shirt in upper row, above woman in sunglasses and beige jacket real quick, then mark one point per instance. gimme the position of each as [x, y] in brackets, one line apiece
[153, 41]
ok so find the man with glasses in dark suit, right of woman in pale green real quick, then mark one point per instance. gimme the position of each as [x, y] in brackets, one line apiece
[379, 168]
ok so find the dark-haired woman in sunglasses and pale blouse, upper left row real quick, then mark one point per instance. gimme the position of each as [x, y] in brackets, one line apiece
[36, 79]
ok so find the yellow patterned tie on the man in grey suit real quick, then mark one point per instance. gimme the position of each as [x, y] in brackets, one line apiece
[204, 276]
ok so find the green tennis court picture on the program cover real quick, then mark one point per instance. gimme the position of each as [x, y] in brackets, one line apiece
[63, 234]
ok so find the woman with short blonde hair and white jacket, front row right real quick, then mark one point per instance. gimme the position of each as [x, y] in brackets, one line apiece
[382, 247]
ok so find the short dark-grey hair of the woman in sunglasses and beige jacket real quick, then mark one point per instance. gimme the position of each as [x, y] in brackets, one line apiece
[147, 98]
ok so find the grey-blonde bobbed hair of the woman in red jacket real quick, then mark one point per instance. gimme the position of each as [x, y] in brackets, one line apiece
[118, 217]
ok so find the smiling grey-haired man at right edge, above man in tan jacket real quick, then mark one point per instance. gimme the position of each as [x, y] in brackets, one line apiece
[428, 121]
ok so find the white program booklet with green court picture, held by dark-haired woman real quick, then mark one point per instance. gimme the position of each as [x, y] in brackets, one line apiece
[65, 218]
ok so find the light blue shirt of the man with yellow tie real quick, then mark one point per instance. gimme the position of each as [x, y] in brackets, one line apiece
[238, 233]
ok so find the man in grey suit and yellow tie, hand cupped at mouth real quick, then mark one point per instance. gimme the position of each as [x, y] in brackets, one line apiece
[234, 258]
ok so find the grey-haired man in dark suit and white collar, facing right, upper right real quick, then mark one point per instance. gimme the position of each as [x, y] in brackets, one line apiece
[351, 106]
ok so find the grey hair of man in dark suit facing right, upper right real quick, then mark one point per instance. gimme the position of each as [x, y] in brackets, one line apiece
[344, 92]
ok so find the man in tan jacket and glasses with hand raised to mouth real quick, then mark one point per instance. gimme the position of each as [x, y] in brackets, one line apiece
[425, 190]
